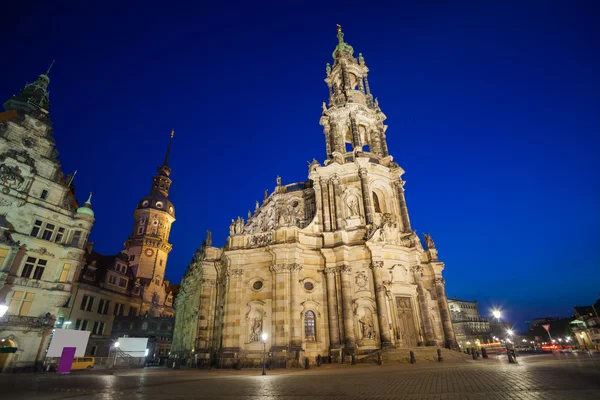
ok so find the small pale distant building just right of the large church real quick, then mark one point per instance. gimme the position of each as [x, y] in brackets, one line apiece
[469, 326]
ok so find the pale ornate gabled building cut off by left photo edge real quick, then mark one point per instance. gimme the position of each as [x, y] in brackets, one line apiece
[43, 232]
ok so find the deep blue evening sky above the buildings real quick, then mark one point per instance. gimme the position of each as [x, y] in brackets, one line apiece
[493, 110]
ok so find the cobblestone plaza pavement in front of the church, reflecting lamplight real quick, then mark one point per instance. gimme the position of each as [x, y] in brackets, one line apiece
[535, 377]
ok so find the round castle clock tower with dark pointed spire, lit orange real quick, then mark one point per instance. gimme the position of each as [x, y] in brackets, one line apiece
[148, 246]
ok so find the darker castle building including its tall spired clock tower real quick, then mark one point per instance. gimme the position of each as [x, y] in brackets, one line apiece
[132, 283]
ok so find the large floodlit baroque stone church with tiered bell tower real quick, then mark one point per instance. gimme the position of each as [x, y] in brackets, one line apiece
[329, 266]
